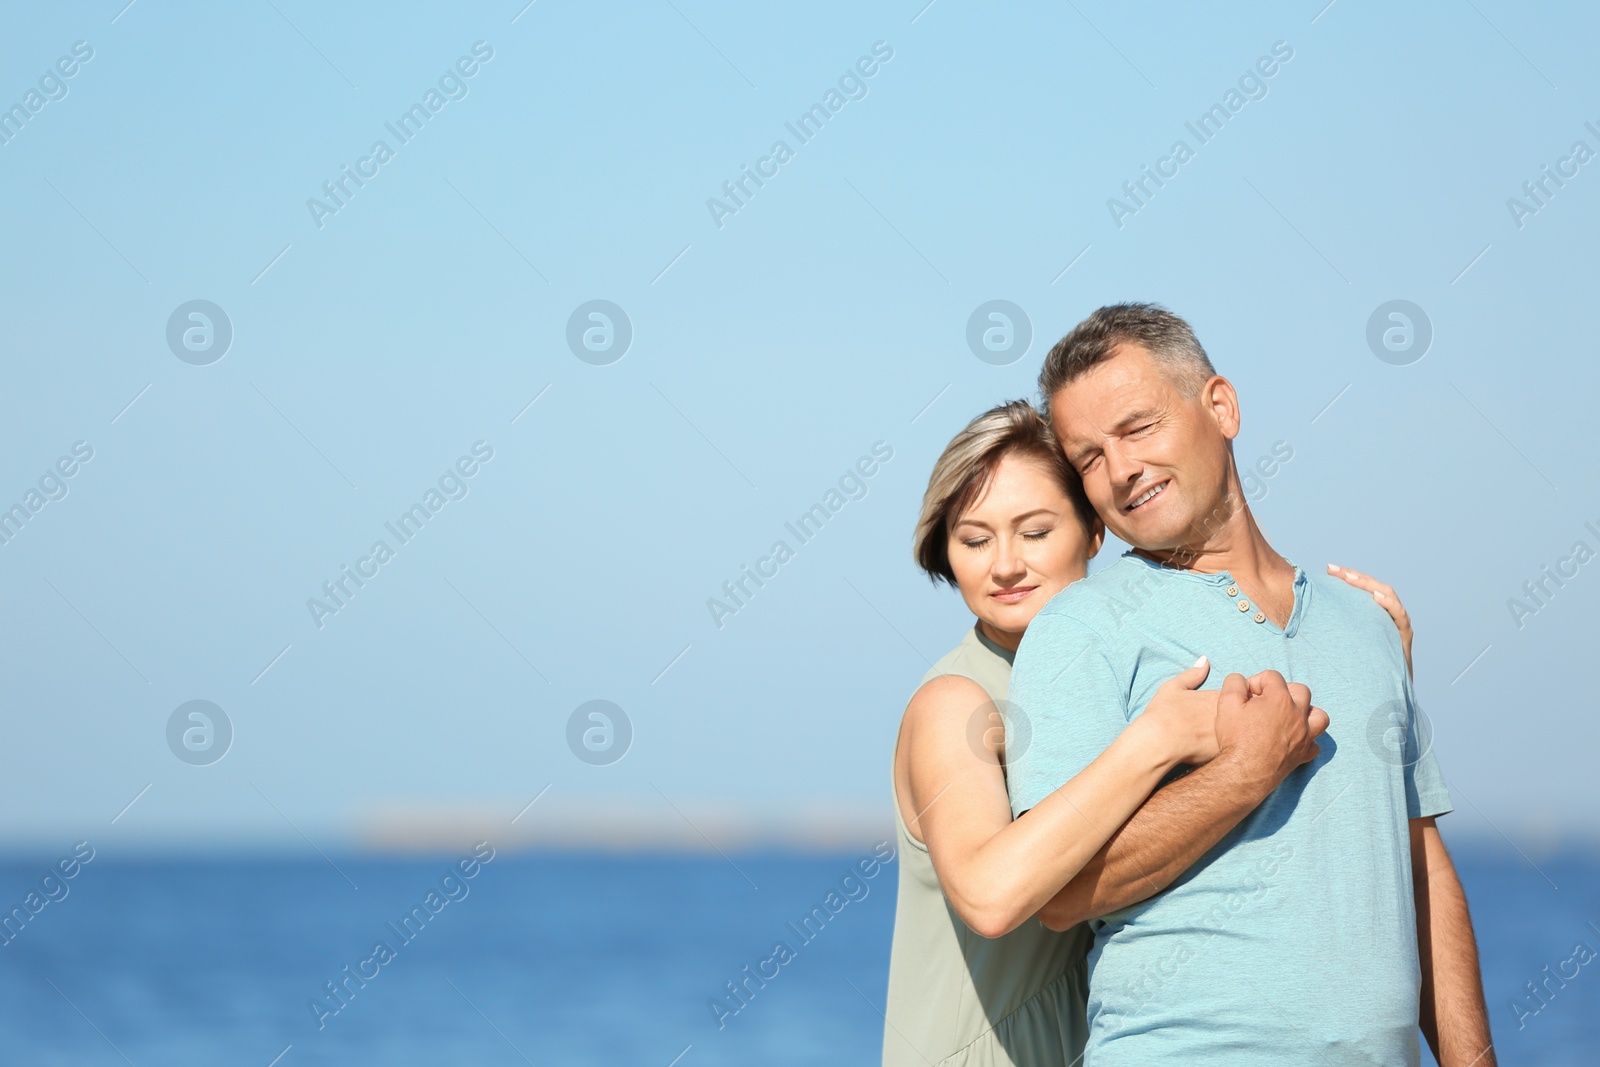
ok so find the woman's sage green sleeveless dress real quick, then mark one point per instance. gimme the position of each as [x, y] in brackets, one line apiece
[956, 997]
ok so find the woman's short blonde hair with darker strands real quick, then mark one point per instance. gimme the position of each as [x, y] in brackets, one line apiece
[969, 463]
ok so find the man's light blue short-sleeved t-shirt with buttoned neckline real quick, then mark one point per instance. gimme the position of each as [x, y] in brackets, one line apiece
[1295, 938]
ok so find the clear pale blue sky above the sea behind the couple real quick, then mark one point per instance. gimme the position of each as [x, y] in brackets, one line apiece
[772, 350]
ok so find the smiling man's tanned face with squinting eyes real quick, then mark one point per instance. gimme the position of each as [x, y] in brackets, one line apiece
[1154, 463]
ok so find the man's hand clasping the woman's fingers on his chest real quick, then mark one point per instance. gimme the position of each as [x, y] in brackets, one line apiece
[1268, 727]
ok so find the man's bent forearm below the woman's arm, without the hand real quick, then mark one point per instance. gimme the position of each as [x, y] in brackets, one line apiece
[1175, 828]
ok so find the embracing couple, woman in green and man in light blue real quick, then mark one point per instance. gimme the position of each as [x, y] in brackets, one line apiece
[1289, 898]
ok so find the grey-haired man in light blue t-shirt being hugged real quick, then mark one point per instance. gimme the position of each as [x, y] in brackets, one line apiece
[1330, 922]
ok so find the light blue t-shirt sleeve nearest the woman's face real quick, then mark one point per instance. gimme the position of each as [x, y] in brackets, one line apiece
[1065, 708]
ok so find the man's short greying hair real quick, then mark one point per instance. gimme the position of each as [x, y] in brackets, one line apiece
[1095, 340]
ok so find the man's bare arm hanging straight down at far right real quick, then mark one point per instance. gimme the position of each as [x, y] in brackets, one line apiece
[1454, 1018]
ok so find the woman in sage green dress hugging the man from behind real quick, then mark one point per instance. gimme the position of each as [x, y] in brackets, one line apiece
[972, 981]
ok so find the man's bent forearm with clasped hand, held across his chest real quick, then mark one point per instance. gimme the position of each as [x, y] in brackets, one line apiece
[1262, 740]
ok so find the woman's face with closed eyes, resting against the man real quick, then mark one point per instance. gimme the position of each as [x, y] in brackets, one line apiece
[1020, 545]
